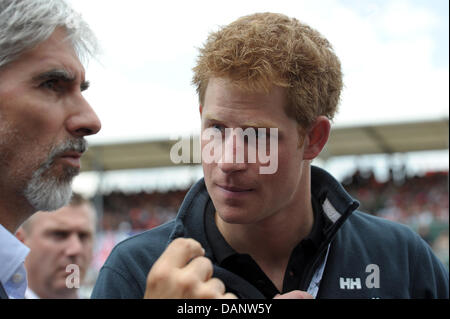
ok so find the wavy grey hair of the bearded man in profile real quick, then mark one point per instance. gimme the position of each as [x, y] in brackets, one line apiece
[26, 23]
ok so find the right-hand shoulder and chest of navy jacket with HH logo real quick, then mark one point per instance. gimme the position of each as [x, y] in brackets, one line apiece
[372, 257]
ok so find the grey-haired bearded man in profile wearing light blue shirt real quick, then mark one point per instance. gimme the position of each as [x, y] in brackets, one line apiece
[43, 119]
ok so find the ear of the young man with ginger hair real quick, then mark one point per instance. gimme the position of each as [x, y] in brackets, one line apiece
[317, 137]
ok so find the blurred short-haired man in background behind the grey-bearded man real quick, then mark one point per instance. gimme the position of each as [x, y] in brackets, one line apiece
[56, 240]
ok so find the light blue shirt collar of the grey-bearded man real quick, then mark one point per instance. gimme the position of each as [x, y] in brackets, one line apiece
[12, 254]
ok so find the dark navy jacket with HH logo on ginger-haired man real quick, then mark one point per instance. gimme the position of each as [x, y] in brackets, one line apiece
[369, 257]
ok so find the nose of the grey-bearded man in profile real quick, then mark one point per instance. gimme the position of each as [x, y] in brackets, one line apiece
[83, 121]
